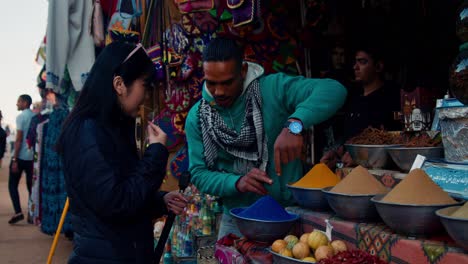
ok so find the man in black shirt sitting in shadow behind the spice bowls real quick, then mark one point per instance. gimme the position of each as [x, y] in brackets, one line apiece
[372, 104]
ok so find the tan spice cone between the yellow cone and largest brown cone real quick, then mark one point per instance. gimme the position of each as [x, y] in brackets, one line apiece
[359, 181]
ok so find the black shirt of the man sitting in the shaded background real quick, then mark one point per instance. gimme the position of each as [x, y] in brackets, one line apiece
[374, 110]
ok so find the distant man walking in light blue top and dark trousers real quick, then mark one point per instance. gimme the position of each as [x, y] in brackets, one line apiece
[22, 159]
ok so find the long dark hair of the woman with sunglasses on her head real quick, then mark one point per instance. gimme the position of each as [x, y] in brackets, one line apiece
[98, 99]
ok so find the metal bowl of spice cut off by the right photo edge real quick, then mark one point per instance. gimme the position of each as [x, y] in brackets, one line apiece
[456, 227]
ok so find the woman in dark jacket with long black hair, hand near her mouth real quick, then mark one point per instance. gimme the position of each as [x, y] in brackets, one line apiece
[114, 194]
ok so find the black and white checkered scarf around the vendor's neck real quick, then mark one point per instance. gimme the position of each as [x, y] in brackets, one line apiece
[249, 146]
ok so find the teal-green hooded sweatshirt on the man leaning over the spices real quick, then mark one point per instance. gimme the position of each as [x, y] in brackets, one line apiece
[310, 100]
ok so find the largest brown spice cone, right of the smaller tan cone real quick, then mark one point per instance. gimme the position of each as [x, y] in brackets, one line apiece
[418, 188]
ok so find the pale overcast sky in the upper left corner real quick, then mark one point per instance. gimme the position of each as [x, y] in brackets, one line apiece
[23, 28]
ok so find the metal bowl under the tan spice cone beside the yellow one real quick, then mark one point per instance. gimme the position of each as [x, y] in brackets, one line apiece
[357, 207]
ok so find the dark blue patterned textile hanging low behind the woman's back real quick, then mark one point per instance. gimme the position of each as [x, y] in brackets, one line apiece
[53, 193]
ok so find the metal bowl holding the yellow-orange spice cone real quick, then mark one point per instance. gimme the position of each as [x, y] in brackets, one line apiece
[311, 198]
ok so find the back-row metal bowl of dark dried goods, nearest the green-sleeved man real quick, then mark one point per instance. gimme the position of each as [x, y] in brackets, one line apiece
[371, 156]
